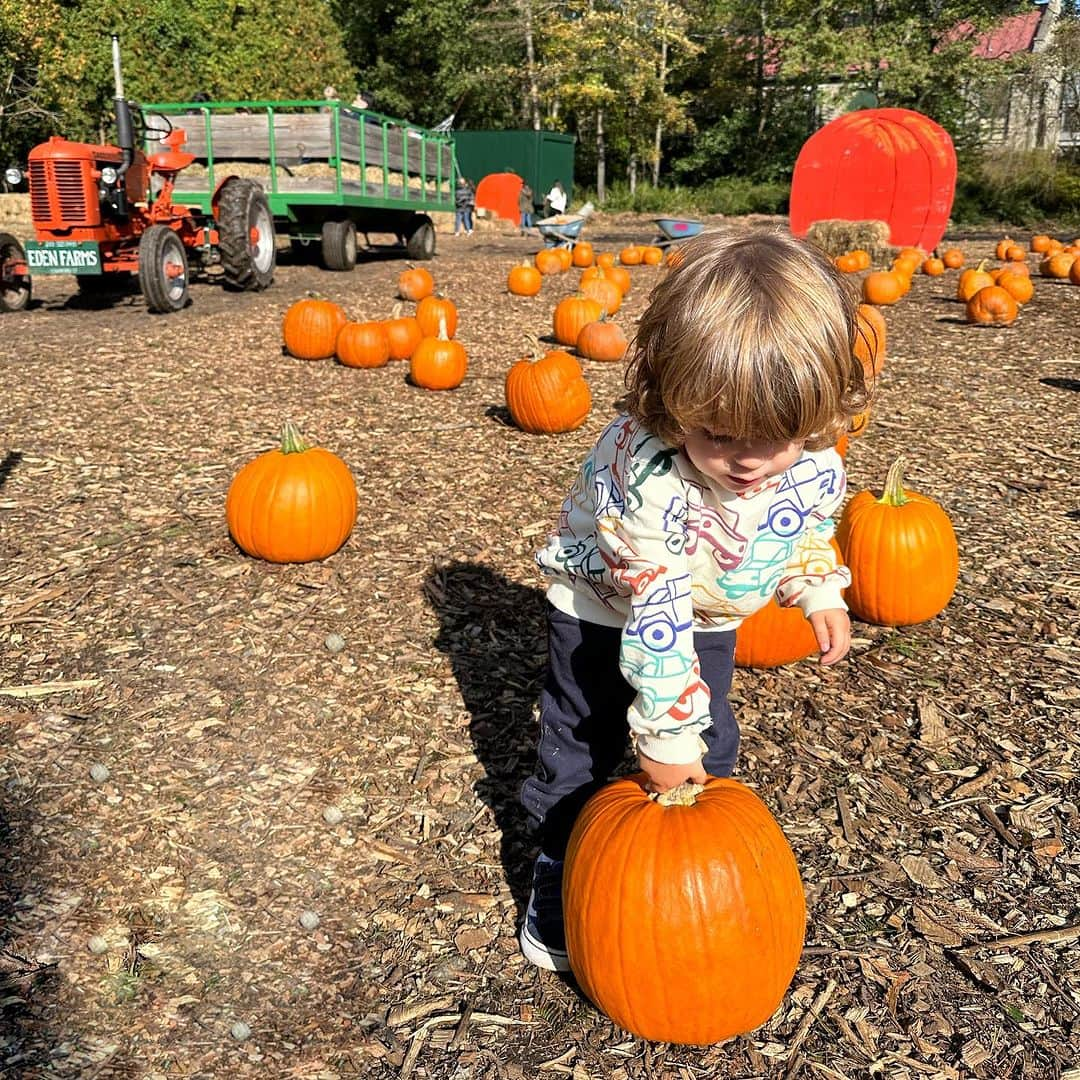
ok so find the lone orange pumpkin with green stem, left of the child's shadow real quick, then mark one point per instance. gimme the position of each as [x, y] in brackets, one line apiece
[292, 505]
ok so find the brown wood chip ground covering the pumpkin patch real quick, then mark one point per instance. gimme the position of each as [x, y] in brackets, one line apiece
[261, 820]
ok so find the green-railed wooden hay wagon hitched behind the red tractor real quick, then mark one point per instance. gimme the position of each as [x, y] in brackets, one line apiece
[330, 172]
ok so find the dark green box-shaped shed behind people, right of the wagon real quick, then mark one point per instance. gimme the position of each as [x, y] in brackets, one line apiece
[539, 158]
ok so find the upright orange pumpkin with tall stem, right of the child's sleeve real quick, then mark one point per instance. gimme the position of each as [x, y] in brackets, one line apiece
[902, 553]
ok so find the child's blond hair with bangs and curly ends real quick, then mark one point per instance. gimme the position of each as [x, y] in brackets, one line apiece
[751, 334]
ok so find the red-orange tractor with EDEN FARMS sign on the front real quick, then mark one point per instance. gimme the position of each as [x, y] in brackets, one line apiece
[106, 213]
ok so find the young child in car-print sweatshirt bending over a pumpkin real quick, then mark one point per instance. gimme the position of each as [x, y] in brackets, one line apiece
[712, 495]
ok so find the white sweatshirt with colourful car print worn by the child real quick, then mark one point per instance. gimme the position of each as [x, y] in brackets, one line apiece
[649, 544]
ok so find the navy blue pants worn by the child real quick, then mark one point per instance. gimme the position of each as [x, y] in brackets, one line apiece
[584, 732]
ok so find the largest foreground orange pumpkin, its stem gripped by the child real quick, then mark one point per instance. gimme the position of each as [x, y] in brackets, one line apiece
[685, 915]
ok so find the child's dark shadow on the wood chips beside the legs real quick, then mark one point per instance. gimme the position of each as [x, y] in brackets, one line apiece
[495, 633]
